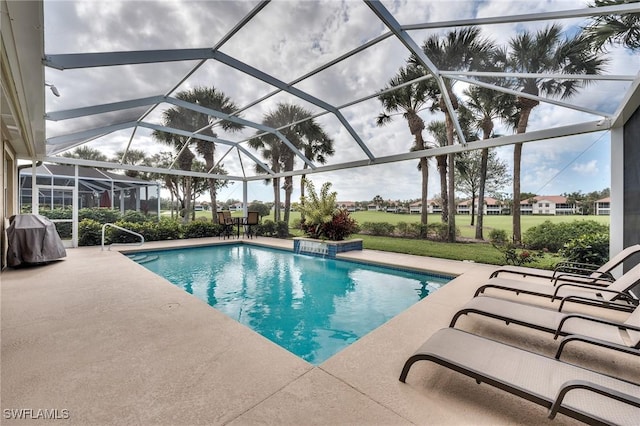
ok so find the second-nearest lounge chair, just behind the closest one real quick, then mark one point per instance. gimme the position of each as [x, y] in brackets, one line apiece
[556, 322]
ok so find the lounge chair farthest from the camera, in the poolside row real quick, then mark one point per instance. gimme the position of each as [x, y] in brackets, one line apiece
[574, 271]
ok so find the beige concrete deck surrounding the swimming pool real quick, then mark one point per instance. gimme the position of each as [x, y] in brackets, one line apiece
[102, 340]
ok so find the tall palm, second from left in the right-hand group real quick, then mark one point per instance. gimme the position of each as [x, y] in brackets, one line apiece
[462, 49]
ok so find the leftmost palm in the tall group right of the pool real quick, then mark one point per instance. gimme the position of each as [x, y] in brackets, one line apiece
[409, 100]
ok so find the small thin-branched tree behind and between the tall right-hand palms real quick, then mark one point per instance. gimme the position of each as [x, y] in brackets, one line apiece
[469, 166]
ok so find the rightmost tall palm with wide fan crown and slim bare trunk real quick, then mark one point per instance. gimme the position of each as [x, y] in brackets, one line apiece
[544, 52]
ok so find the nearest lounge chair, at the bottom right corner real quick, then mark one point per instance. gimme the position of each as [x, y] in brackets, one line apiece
[585, 395]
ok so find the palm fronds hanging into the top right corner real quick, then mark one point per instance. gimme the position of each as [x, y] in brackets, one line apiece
[614, 29]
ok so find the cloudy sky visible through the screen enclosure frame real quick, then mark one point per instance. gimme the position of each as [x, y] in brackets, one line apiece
[288, 39]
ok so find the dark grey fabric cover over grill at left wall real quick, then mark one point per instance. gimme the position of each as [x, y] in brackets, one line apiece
[33, 239]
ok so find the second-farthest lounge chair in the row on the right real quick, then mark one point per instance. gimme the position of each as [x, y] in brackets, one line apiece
[617, 291]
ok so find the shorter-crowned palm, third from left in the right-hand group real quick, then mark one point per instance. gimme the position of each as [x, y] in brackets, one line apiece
[485, 106]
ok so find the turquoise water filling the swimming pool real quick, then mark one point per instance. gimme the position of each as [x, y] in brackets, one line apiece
[310, 306]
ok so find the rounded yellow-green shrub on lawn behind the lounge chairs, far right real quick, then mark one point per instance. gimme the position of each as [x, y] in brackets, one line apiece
[553, 237]
